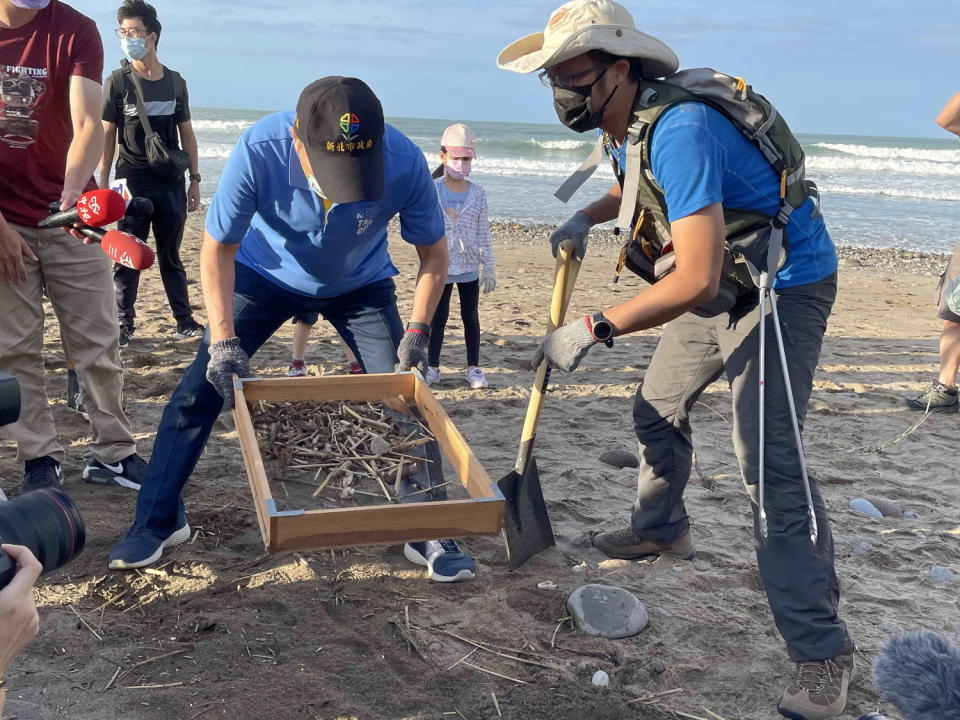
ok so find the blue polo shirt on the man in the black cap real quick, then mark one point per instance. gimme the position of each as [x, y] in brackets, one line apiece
[263, 202]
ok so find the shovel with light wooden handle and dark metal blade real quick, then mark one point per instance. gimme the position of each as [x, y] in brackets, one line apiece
[526, 524]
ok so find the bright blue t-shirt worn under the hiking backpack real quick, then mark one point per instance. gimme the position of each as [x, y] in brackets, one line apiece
[699, 158]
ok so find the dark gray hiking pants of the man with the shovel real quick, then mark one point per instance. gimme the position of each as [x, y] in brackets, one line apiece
[693, 352]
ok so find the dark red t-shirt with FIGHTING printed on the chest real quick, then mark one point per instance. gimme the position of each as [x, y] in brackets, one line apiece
[37, 61]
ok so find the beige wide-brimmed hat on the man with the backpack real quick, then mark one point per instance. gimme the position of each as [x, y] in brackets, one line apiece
[583, 25]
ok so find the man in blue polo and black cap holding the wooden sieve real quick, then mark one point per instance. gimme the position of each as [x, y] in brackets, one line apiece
[299, 224]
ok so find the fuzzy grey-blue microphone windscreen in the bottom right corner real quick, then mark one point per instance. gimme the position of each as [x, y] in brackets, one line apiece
[920, 674]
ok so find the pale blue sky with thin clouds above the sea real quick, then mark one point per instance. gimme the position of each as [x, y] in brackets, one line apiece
[832, 66]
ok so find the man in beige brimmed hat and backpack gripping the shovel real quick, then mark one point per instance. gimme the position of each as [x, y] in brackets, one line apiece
[702, 169]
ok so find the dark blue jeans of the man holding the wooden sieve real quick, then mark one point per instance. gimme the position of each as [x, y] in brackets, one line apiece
[367, 319]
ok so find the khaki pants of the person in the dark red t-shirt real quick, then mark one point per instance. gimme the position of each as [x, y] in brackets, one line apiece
[79, 282]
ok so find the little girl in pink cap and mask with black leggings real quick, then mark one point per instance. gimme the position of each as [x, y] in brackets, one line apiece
[471, 268]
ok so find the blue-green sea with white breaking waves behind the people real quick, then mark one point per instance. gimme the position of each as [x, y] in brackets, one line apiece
[877, 191]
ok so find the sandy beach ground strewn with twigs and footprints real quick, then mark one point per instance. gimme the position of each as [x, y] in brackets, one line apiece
[221, 630]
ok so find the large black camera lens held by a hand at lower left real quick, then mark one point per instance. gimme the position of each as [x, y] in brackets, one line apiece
[46, 521]
